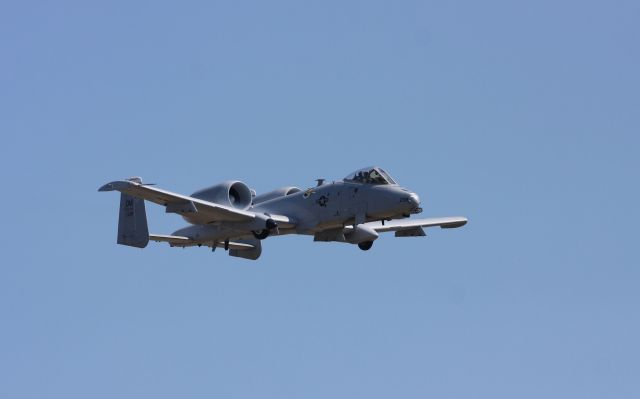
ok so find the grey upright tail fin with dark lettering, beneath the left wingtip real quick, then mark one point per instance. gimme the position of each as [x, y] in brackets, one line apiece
[132, 223]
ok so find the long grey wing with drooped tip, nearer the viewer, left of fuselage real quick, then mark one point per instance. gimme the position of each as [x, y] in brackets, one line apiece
[179, 203]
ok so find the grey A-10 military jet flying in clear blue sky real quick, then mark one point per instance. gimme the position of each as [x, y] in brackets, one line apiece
[230, 215]
